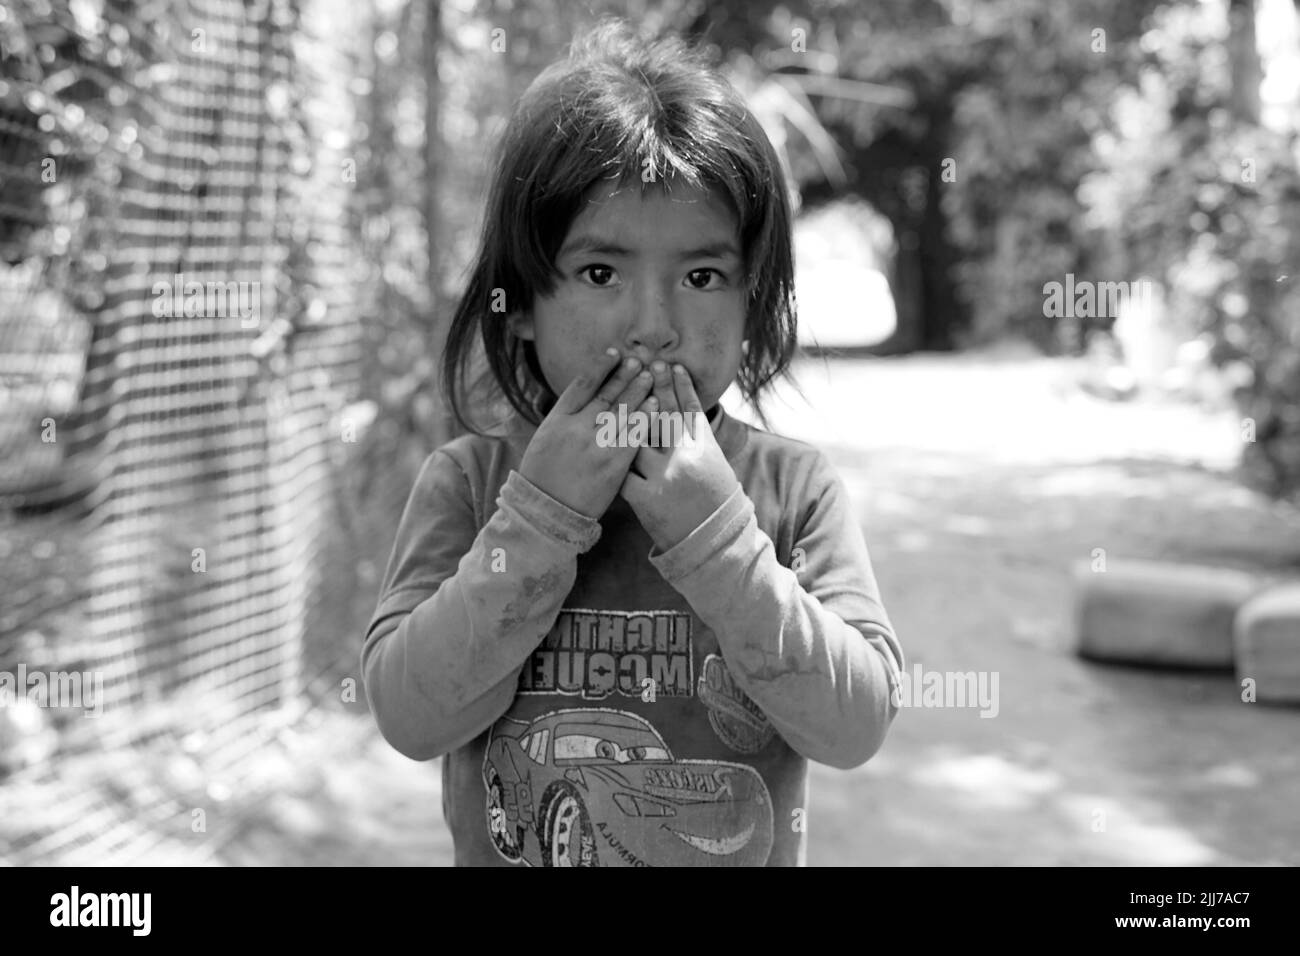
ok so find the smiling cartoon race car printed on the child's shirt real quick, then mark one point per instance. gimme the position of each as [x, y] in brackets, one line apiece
[592, 788]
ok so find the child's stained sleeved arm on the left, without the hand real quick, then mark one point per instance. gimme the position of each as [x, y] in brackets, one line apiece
[458, 618]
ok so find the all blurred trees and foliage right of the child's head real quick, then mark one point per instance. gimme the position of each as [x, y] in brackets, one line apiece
[1102, 139]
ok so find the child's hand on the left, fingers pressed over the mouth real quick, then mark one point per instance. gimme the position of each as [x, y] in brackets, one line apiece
[564, 458]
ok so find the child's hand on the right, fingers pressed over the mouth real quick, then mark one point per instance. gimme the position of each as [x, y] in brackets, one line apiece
[679, 487]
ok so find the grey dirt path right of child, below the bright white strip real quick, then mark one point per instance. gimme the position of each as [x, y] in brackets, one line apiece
[1169, 769]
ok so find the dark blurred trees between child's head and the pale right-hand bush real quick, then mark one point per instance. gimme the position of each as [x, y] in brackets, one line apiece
[978, 163]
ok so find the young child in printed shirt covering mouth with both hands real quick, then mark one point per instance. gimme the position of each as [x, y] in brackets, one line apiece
[630, 654]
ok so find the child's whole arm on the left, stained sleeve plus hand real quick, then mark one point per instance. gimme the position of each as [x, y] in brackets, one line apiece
[461, 612]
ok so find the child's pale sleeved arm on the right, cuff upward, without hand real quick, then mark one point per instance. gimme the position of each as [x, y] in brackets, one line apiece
[813, 650]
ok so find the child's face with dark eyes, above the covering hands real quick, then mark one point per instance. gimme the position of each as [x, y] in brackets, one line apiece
[658, 276]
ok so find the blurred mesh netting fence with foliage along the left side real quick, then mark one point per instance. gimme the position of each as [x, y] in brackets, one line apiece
[179, 339]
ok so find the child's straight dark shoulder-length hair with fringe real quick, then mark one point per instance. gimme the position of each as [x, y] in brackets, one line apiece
[613, 105]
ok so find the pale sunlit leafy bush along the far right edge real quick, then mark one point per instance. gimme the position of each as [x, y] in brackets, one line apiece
[1210, 201]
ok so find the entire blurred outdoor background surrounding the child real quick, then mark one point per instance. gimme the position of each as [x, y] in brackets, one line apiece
[197, 504]
